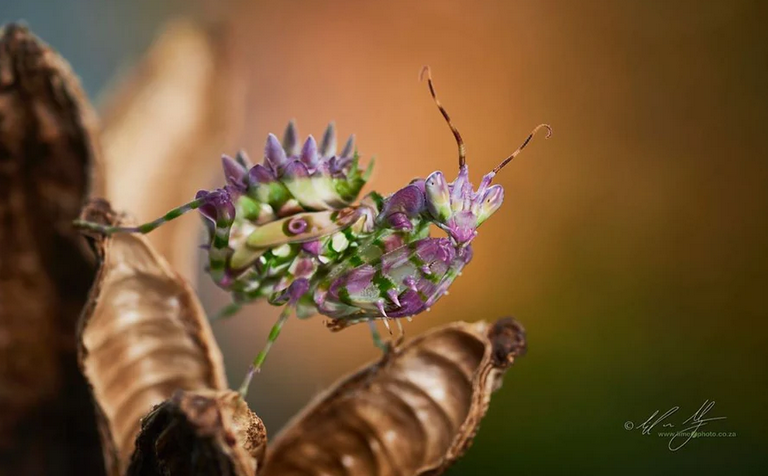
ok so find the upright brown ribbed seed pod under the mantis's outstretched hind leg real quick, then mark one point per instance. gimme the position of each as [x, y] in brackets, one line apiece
[143, 335]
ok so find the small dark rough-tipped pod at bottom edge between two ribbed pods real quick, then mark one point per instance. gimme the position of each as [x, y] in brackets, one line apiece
[203, 433]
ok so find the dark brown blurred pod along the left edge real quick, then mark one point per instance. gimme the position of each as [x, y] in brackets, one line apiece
[48, 147]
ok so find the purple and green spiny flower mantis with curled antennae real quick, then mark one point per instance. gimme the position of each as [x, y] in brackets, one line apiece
[288, 230]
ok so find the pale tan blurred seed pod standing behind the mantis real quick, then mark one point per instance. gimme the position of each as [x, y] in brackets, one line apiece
[165, 127]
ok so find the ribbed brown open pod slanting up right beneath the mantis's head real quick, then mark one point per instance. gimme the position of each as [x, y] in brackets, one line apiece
[412, 413]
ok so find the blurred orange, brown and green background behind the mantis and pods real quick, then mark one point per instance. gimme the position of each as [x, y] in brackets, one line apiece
[633, 245]
